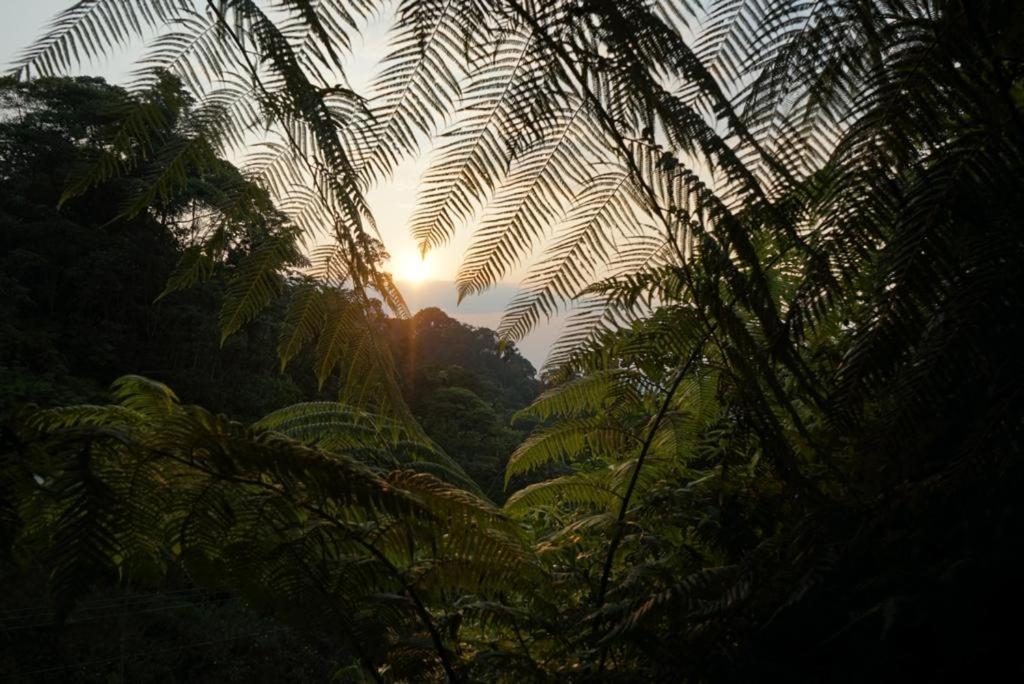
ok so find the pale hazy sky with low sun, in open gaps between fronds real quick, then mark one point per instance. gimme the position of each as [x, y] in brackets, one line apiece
[393, 203]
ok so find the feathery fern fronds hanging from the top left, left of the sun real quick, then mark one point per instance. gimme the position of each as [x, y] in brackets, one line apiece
[248, 76]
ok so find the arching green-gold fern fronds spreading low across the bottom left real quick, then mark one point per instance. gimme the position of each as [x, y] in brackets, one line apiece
[338, 512]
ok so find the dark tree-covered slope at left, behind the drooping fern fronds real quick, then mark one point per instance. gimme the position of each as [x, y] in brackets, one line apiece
[81, 282]
